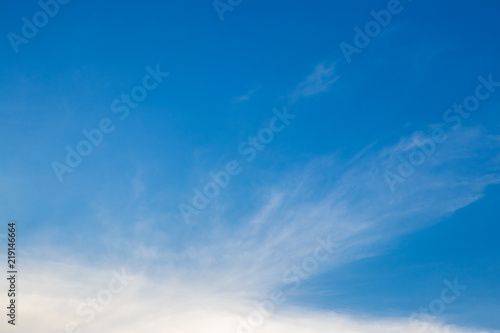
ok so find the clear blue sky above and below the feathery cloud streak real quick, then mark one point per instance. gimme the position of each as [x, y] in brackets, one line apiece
[65, 79]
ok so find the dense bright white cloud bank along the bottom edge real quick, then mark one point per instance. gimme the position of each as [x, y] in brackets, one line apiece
[177, 306]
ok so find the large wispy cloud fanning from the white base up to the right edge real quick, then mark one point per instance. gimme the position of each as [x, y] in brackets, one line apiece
[210, 283]
